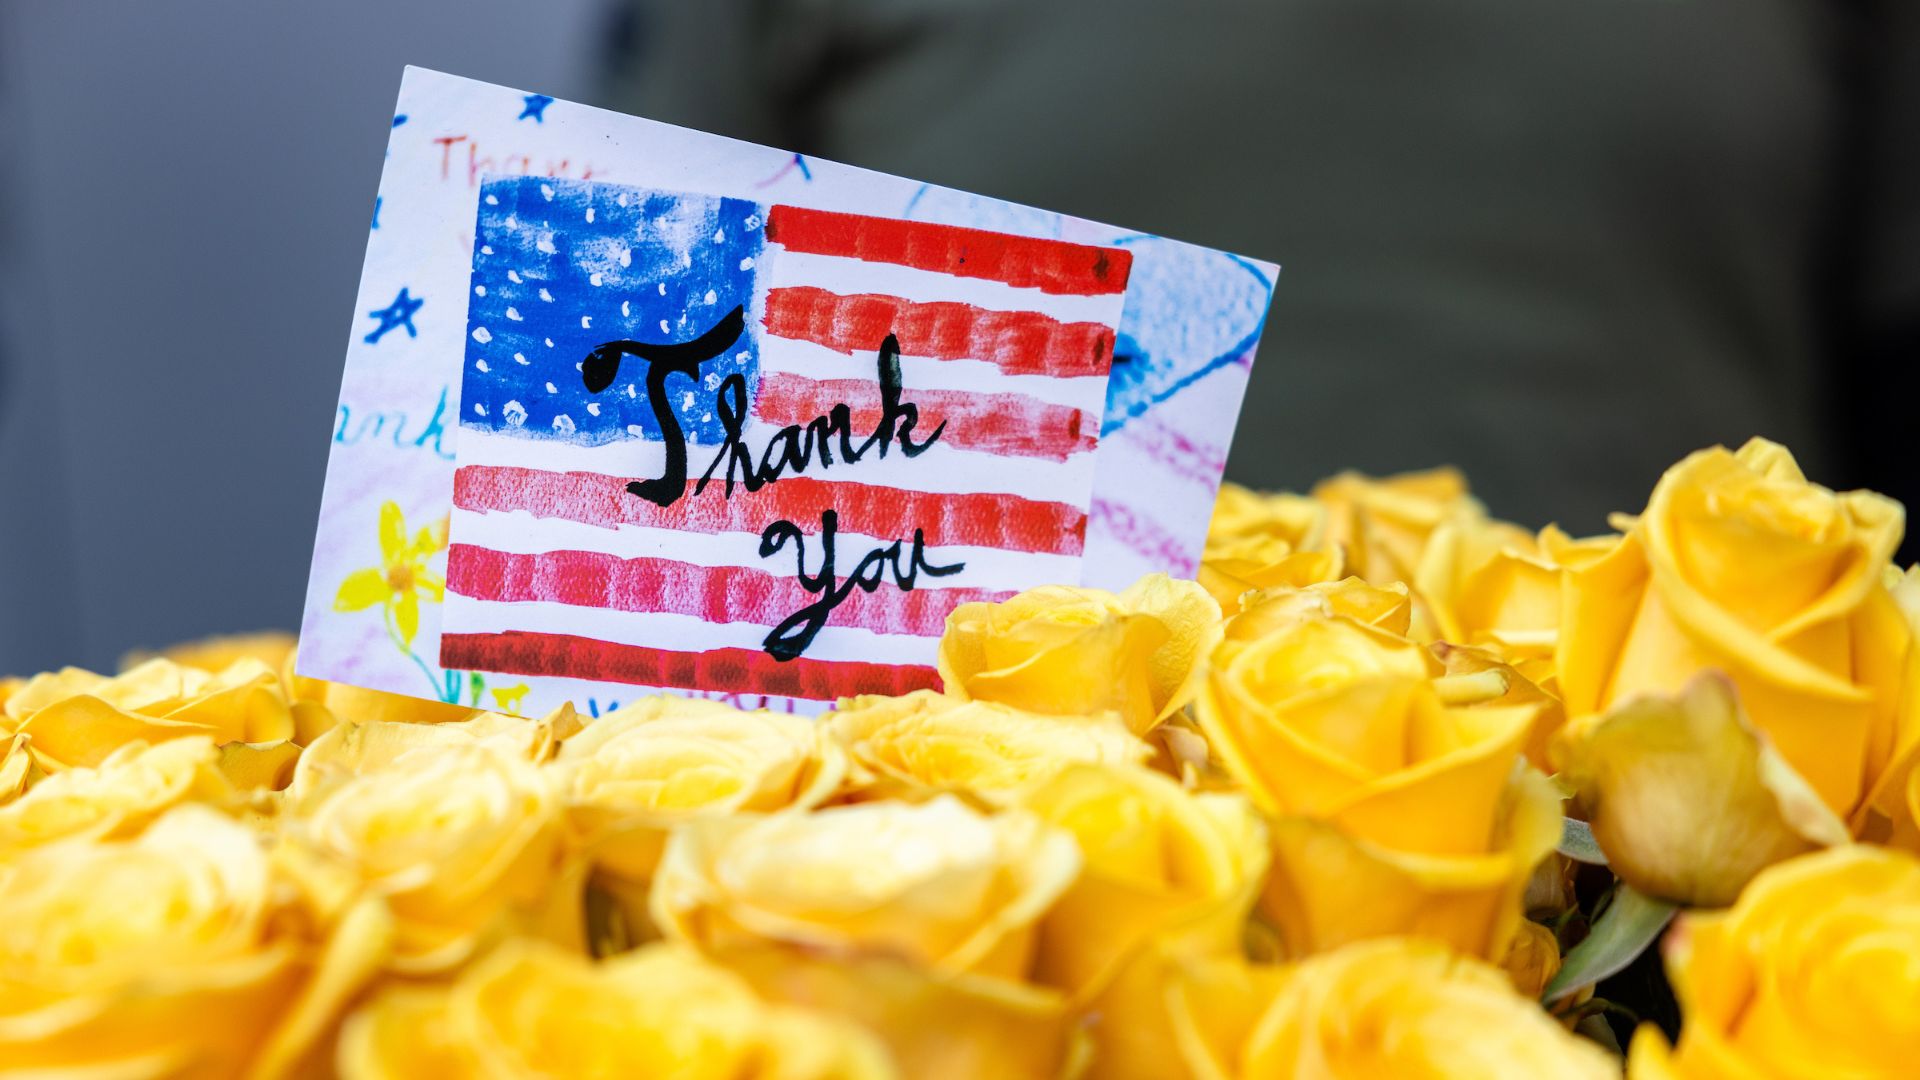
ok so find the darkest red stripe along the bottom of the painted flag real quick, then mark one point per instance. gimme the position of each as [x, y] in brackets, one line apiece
[740, 672]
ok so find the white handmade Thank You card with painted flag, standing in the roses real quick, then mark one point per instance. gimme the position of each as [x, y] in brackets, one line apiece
[635, 408]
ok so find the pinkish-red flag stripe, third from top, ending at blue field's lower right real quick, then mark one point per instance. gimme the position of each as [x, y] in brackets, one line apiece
[994, 424]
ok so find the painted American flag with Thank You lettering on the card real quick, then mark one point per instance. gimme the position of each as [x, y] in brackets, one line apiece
[558, 570]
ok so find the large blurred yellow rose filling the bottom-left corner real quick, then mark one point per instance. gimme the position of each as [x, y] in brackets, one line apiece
[176, 954]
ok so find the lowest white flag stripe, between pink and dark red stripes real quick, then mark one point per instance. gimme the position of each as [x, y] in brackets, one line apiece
[681, 633]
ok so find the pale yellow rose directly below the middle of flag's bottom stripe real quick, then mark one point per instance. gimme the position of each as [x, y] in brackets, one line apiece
[633, 775]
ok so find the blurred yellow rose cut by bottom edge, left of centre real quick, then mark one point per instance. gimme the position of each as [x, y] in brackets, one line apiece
[533, 1010]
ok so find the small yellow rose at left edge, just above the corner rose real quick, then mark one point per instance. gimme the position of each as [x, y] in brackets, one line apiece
[132, 789]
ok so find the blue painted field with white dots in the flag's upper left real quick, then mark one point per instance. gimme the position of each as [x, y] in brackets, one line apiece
[562, 268]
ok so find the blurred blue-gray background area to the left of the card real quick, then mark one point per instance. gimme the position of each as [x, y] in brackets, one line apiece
[191, 187]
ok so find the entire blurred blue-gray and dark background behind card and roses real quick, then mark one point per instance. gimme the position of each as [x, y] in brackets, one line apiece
[1558, 243]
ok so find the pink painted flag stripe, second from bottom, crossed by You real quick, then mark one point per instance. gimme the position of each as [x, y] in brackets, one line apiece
[717, 595]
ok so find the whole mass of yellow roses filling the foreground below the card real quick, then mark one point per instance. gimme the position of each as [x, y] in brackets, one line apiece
[1393, 789]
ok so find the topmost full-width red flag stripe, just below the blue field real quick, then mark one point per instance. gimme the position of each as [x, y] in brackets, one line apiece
[884, 514]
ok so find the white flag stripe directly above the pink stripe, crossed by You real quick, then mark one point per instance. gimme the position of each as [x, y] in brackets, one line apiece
[521, 533]
